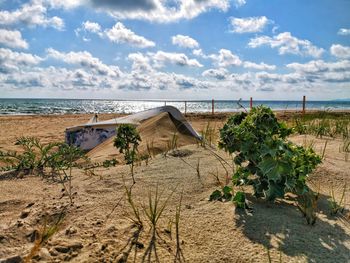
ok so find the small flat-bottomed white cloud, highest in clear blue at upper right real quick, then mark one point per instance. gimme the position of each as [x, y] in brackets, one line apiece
[248, 24]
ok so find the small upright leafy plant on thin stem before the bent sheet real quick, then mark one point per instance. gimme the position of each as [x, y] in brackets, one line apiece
[127, 141]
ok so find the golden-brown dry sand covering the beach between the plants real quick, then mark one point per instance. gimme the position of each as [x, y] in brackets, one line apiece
[98, 227]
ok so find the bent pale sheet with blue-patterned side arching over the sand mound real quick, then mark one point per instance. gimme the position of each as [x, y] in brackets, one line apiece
[93, 133]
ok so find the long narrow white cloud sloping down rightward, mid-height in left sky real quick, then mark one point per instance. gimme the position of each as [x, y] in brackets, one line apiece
[84, 59]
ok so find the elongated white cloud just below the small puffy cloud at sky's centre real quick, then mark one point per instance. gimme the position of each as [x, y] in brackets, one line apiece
[161, 58]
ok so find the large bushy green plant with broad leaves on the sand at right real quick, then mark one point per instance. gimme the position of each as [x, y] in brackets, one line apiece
[265, 159]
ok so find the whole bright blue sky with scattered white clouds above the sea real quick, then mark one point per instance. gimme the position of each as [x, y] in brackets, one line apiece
[175, 49]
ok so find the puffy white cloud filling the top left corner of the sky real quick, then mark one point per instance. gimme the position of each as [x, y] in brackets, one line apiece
[33, 13]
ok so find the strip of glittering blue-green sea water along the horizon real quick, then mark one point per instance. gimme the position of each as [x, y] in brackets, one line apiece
[63, 106]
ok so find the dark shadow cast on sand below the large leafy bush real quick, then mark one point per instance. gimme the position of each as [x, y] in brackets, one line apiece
[281, 226]
